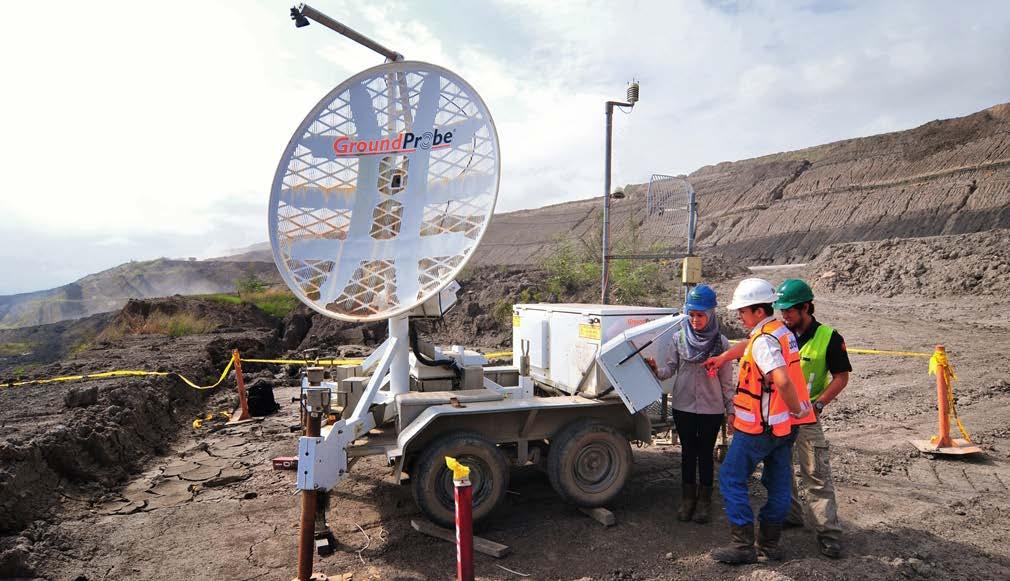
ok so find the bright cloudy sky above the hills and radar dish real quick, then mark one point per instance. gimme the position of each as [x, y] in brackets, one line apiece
[146, 130]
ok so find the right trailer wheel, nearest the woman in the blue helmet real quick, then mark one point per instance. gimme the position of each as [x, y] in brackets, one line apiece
[589, 463]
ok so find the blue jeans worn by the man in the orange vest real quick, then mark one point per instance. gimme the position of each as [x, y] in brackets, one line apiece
[746, 453]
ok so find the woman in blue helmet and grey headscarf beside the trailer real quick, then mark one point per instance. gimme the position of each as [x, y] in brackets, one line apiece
[700, 401]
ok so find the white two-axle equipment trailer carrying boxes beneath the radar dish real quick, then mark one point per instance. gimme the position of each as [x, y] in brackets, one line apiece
[556, 408]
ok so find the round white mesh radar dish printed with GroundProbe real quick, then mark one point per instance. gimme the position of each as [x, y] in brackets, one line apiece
[384, 191]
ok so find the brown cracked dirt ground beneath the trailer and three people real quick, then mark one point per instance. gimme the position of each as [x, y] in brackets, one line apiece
[212, 508]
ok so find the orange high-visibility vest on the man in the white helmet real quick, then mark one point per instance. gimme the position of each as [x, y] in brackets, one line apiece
[759, 406]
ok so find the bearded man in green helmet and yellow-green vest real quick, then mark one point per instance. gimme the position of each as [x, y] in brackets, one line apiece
[826, 366]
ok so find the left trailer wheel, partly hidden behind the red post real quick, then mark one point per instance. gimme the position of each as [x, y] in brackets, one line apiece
[433, 480]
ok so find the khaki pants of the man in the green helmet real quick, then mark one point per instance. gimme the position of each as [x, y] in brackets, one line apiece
[811, 453]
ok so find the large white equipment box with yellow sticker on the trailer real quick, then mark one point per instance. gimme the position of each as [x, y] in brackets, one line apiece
[564, 341]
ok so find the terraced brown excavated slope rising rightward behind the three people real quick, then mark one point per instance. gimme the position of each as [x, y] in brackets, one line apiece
[946, 177]
